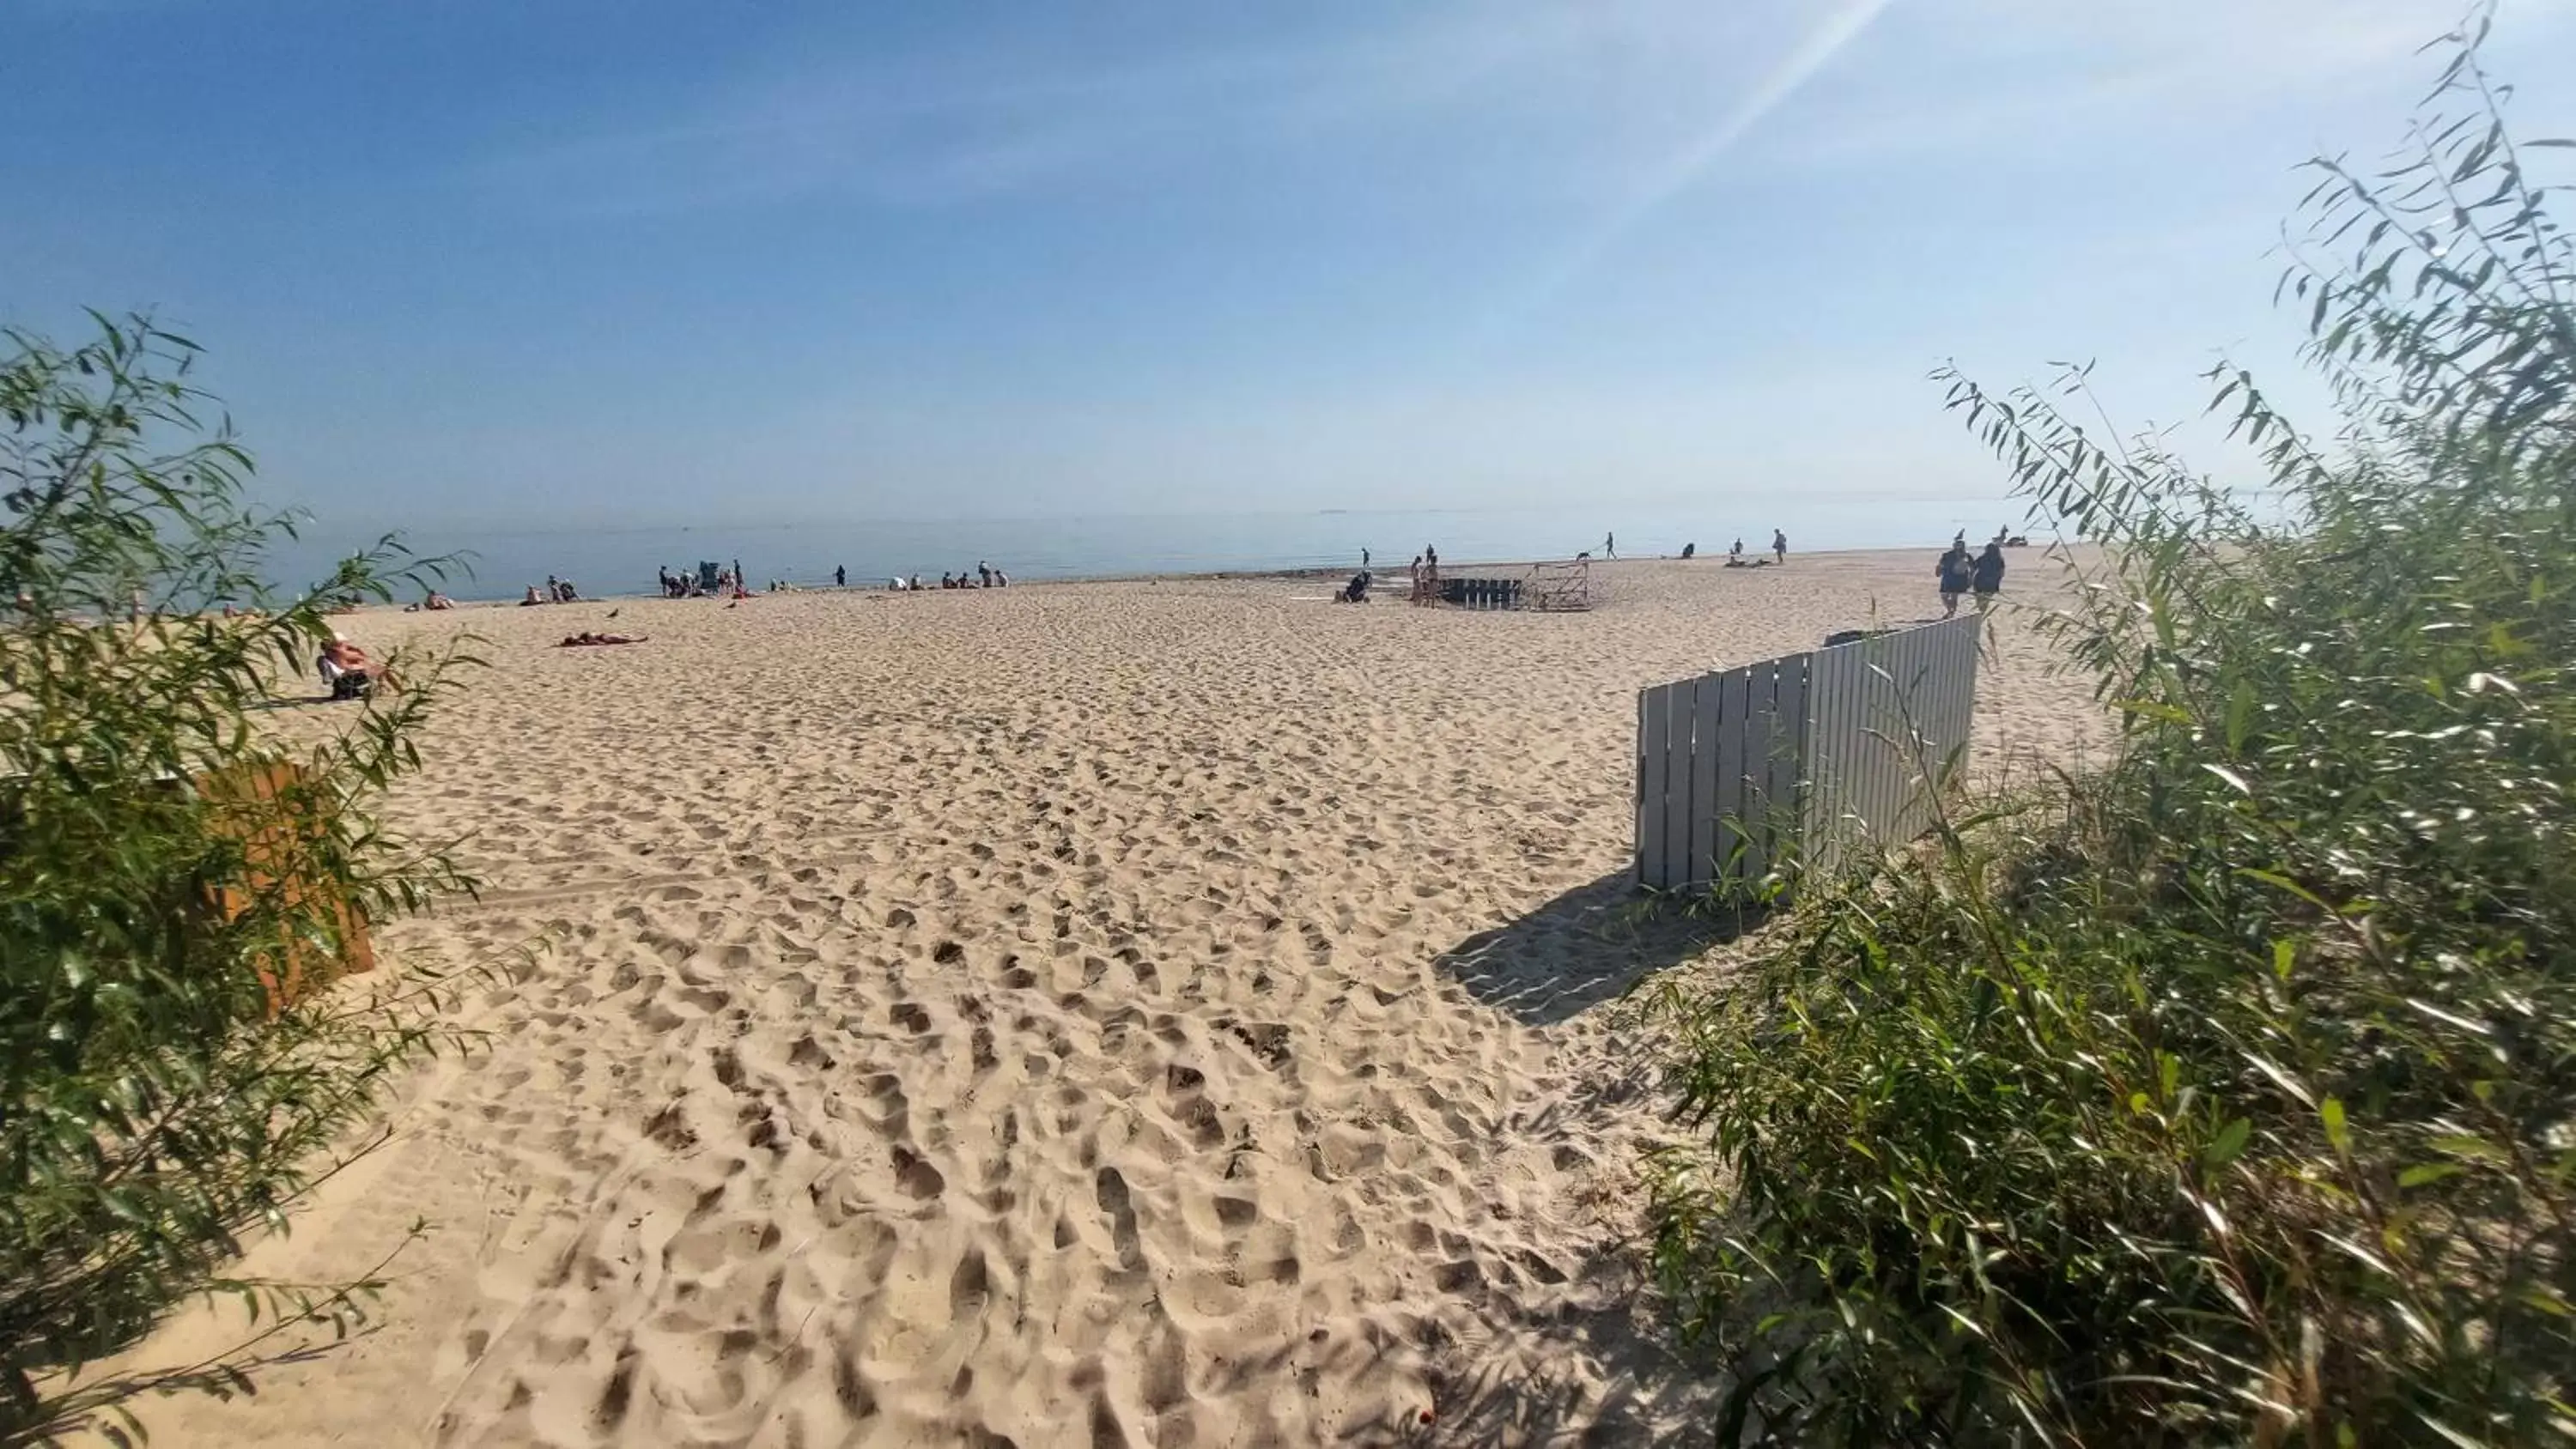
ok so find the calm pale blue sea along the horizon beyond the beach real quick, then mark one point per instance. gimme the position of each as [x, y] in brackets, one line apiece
[625, 560]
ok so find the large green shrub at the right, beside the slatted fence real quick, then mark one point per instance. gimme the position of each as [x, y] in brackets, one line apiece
[2224, 1095]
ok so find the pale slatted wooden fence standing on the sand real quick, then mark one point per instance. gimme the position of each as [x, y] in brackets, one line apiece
[1802, 761]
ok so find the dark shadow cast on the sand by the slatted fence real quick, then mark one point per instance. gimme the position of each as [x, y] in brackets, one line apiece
[1583, 948]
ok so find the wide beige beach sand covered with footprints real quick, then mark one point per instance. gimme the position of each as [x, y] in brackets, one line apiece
[1155, 1013]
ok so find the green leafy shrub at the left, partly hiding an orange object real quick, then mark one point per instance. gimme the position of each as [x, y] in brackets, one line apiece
[148, 1108]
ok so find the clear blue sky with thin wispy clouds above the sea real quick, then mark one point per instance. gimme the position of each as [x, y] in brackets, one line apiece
[694, 264]
